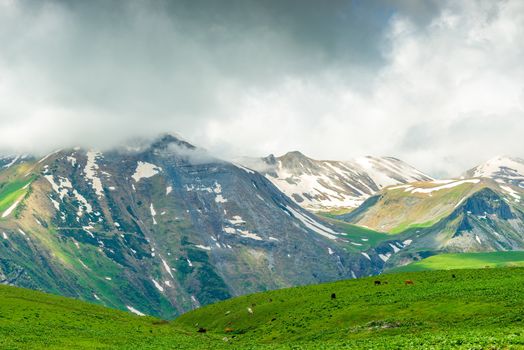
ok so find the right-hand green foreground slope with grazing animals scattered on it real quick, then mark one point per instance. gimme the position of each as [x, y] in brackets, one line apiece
[477, 309]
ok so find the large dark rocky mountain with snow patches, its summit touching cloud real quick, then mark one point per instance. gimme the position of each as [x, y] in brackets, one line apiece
[161, 228]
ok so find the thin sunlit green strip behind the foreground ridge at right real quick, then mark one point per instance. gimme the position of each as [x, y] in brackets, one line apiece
[465, 261]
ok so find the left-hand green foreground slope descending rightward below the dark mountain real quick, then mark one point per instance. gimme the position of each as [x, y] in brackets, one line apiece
[34, 320]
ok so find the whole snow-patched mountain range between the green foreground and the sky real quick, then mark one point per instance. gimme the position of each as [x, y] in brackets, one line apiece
[163, 227]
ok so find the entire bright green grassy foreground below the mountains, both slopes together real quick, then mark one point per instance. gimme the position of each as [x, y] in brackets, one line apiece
[476, 309]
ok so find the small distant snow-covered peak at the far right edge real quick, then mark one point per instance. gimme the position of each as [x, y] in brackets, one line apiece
[502, 168]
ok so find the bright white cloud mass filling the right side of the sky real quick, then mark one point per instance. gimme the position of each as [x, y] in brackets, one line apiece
[450, 95]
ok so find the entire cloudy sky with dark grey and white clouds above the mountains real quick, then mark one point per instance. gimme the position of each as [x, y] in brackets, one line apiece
[439, 84]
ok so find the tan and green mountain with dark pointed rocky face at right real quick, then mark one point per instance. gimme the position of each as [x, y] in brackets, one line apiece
[444, 216]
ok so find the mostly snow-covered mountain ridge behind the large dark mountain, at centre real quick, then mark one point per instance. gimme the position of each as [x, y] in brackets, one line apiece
[323, 185]
